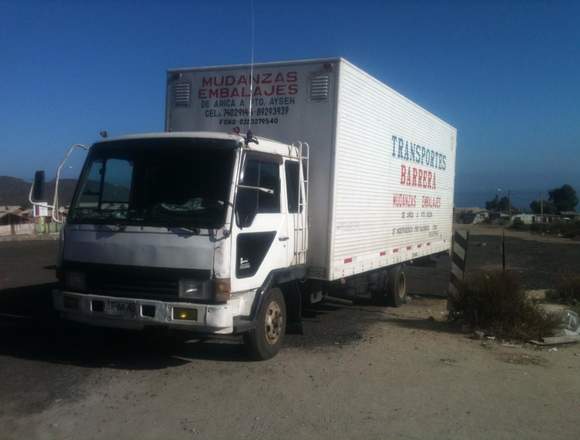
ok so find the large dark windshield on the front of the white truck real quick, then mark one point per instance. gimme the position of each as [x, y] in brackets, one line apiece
[157, 182]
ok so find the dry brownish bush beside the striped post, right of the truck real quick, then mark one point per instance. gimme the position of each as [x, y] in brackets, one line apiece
[495, 302]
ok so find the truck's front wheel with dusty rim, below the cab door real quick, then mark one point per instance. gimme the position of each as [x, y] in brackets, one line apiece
[264, 341]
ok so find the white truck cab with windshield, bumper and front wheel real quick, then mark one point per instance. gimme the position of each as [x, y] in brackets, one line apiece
[200, 231]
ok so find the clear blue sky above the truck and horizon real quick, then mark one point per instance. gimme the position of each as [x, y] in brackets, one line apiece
[506, 74]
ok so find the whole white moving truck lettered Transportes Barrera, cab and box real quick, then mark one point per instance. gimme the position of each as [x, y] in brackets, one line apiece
[273, 184]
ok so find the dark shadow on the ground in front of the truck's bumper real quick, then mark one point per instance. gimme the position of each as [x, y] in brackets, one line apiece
[31, 329]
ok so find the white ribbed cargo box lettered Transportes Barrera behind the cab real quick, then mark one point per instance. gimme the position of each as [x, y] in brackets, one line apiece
[381, 168]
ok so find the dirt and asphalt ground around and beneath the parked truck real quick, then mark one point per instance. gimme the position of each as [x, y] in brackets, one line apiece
[358, 370]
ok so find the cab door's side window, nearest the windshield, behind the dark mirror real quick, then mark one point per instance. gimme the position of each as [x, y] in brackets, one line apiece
[258, 173]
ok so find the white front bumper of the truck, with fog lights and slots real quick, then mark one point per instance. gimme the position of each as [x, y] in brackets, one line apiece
[103, 311]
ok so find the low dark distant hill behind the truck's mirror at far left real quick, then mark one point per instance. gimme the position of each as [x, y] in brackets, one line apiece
[14, 191]
